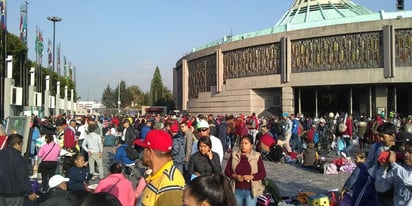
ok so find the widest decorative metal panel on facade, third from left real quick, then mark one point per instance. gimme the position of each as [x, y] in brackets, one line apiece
[349, 51]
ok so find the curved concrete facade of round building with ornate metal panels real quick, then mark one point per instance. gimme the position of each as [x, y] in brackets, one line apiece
[373, 57]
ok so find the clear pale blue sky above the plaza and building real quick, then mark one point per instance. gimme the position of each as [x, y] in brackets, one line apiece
[110, 41]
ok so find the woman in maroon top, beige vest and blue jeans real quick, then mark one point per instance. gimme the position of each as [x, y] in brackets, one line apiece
[246, 171]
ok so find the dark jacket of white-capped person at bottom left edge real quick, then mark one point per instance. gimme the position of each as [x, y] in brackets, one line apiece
[57, 196]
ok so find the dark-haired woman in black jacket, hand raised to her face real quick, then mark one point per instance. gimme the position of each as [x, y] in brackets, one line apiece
[205, 161]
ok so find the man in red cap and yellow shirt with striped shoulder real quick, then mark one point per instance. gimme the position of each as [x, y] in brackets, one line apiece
[165, 184]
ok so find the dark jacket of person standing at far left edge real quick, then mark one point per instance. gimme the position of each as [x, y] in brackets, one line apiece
[14, 173]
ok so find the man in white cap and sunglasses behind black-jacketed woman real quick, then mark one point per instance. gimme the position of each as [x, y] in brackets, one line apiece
[204, 131]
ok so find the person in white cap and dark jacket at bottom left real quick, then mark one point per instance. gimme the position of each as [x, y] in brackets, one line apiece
[58, 194]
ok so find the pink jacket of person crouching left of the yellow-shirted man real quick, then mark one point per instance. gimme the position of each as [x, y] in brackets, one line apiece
[119, 186]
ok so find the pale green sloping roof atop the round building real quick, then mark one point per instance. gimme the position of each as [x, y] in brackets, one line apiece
[306, 14]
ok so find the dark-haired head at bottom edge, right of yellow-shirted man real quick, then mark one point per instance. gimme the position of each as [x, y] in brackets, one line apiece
[214, 190]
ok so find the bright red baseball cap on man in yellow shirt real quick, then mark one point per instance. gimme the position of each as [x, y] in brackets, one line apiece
[157, 140]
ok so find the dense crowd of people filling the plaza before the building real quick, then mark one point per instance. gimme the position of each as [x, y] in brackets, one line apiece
[182, 157]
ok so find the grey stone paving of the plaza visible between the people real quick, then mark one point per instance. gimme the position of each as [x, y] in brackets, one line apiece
[290, 177]
